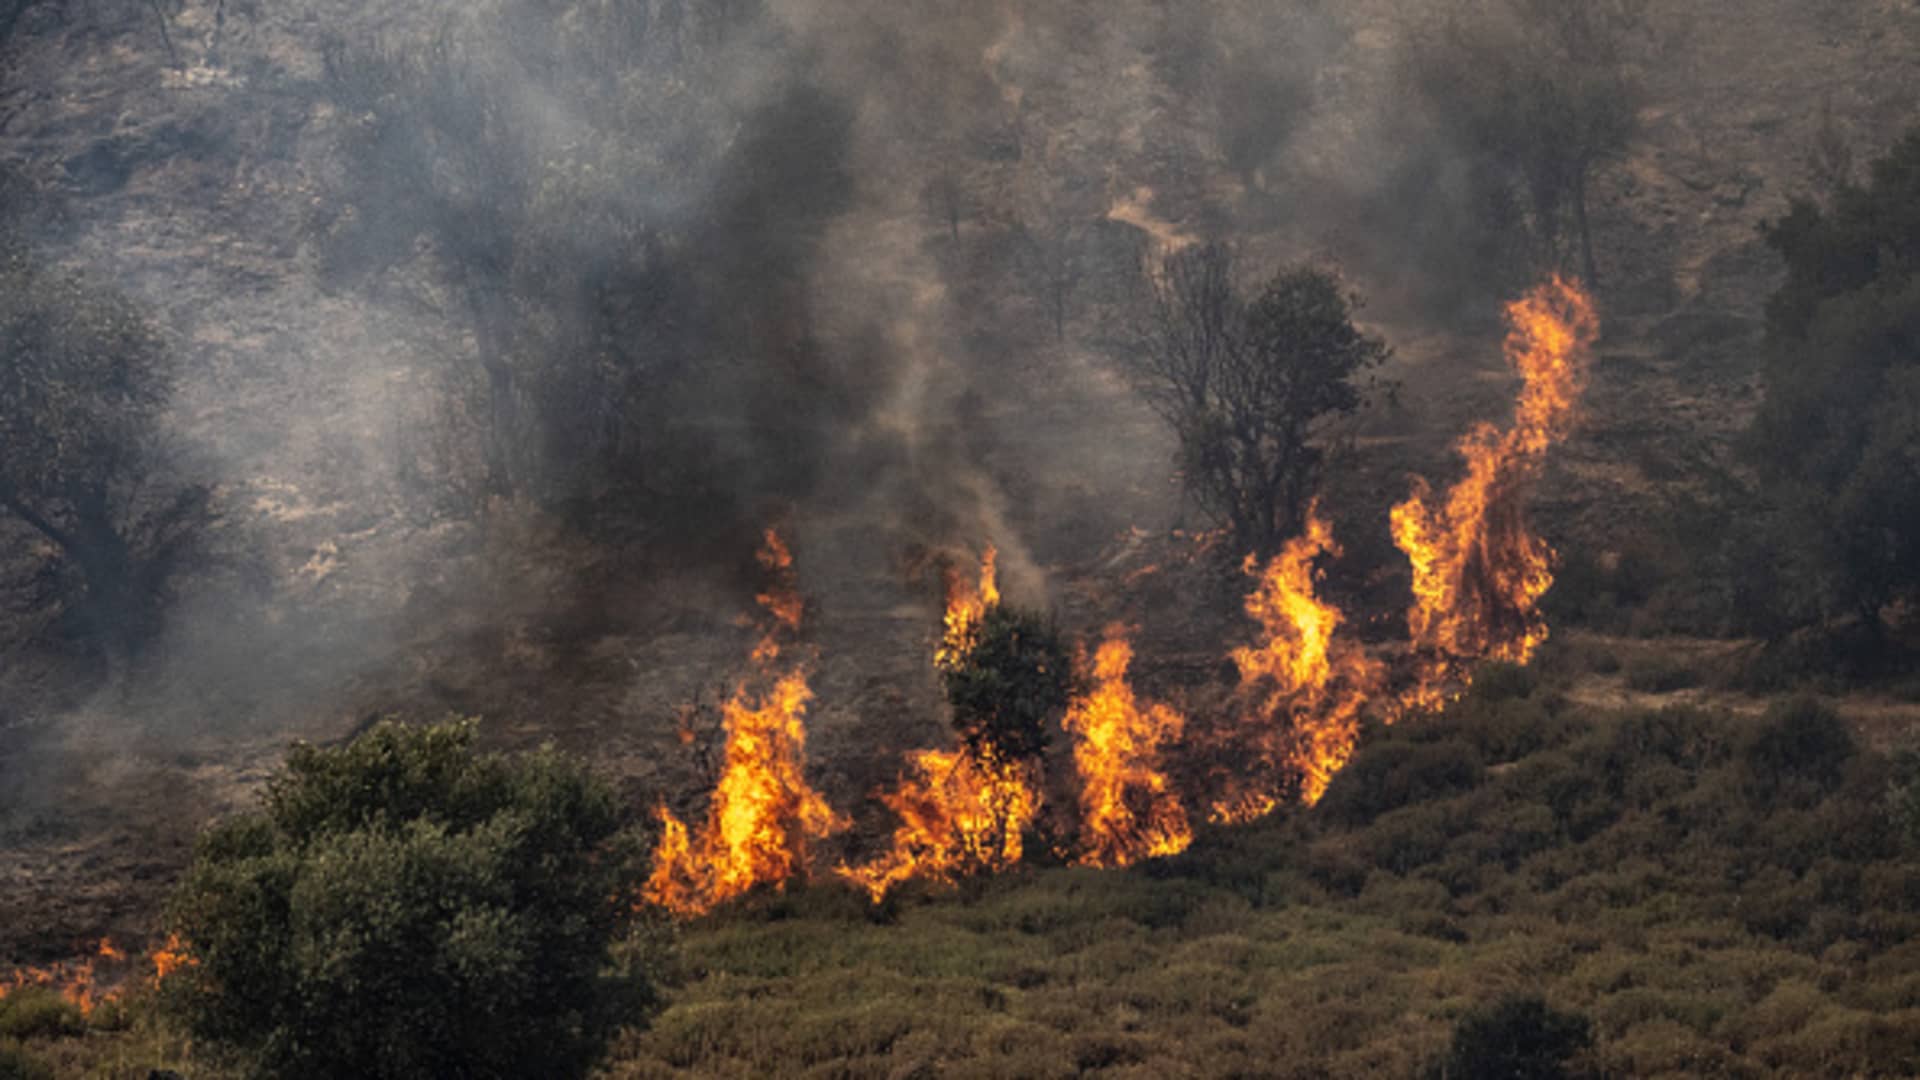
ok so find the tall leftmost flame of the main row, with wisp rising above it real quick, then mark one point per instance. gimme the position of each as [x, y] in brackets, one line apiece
[763, 818]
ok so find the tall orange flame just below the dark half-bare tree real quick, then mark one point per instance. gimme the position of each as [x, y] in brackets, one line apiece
[1303, 670]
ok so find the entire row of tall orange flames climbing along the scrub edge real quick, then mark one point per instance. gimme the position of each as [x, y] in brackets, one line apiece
[1305, 687]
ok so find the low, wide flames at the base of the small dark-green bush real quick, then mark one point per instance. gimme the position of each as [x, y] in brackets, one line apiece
[961, 814]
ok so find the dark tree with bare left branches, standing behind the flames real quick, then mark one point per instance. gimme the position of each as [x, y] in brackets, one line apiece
[1249, 387]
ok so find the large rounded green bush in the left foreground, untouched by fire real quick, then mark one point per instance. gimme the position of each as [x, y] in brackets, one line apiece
[404, 906]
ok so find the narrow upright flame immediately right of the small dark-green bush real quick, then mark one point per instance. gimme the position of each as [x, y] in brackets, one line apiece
[1128, 810]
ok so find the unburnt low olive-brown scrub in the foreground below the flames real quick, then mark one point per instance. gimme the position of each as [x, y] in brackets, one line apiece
[1700, 895]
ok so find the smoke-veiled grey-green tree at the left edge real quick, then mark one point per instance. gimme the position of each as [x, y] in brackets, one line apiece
[84, 381]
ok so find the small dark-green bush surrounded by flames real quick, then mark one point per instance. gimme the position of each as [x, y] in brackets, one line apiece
[1011, 687]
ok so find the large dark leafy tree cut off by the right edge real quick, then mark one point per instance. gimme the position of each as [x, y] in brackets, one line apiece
[1838, 431]
